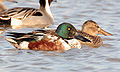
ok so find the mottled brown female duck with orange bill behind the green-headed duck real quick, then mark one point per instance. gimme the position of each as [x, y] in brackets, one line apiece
[90, 29]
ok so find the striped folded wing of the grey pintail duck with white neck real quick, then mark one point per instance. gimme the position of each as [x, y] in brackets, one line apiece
[20, 13]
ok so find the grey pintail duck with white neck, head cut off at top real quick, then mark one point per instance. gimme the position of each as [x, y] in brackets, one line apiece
[22, 17]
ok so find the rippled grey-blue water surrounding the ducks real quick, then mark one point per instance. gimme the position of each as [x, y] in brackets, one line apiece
[103, 59]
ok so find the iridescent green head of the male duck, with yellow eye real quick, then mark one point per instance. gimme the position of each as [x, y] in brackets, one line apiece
[66, 30]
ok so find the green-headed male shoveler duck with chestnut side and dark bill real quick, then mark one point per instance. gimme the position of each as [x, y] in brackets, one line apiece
[64, 37]
